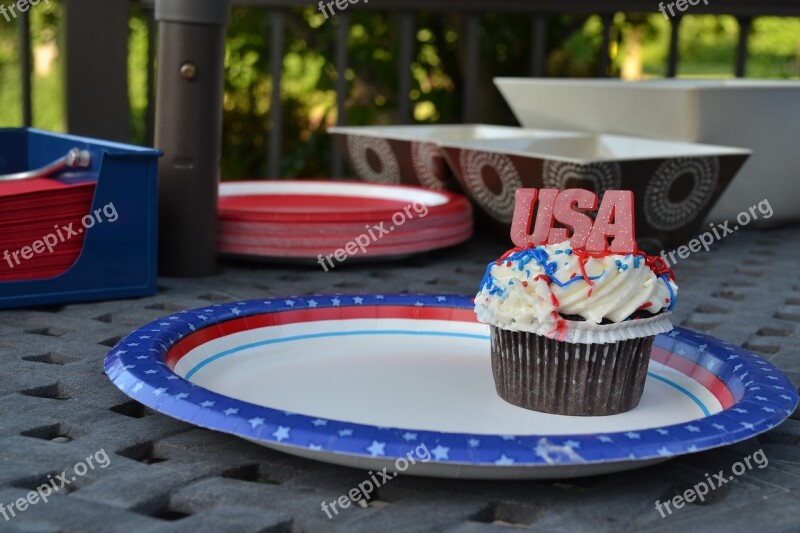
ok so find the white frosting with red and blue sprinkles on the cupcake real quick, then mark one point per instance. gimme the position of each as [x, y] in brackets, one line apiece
[535, 288]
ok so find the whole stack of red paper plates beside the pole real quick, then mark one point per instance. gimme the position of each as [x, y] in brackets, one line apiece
[314, 220]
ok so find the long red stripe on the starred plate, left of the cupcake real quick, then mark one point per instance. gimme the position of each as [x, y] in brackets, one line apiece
[238, 325]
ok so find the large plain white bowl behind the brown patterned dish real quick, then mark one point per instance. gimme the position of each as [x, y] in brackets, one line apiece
[762, 115]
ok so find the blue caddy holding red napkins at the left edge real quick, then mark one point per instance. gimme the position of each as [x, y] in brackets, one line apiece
[117, 260]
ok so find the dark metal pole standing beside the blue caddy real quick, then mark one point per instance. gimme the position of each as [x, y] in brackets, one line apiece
[189, 132]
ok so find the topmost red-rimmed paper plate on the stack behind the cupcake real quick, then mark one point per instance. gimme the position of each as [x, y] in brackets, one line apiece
[329, 201]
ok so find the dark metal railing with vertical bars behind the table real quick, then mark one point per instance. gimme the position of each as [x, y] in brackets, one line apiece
[109, 115]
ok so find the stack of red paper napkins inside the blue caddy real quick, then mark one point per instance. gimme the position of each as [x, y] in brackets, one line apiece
[41, 229]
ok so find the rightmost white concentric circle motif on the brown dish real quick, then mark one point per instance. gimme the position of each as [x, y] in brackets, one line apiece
[666, 215]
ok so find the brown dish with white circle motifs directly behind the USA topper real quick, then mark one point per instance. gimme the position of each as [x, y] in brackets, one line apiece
[675, 184]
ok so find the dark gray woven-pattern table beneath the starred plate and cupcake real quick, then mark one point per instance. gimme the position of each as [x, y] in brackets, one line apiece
[57, 407]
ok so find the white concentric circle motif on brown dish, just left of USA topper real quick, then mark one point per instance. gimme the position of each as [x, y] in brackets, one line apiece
[499, 205]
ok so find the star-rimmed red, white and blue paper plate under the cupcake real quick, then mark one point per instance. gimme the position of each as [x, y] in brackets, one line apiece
[370, 381]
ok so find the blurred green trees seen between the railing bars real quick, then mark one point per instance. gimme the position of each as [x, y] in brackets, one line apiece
[639, 50]
